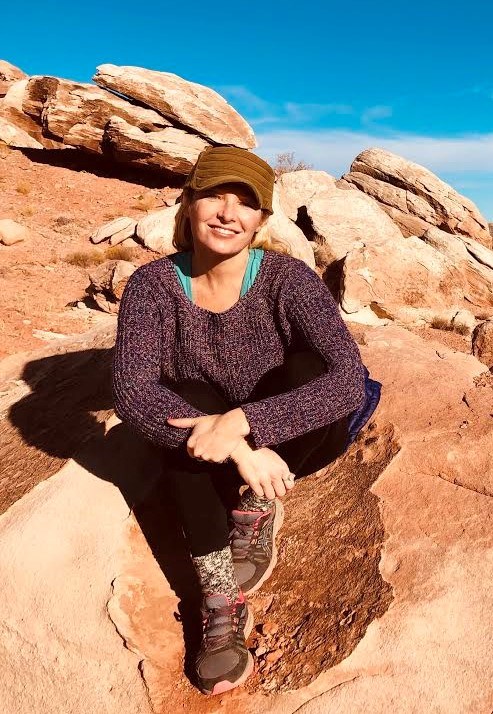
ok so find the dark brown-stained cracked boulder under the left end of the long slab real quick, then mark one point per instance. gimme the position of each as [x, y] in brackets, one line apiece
[77, 113]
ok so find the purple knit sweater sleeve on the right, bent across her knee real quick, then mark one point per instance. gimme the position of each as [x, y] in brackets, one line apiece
[313, 312]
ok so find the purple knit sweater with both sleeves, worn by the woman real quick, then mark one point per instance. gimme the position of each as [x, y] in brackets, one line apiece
[163, 338]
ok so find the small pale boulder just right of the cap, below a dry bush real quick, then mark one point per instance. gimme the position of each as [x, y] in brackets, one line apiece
[298, 188]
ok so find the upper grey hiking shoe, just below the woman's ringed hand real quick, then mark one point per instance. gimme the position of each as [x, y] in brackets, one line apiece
[253, 545]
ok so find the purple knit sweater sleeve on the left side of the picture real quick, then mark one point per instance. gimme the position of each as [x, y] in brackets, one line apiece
[141, 400]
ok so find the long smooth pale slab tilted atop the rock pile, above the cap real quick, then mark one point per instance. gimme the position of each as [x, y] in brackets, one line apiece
[186, 103]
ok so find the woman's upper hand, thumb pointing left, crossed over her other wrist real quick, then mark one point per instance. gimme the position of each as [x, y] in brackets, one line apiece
[214, 436]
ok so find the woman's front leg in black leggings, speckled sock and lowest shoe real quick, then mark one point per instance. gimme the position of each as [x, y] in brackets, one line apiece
[223, 660]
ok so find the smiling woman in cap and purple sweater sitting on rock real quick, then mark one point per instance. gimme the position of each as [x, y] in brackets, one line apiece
[231, 356]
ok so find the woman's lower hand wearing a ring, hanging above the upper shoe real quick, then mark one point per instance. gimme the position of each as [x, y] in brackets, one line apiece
[263, 470]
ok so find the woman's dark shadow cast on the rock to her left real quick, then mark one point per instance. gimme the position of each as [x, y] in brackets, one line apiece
[64, 417]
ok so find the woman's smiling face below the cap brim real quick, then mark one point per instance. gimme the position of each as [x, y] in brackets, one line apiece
[224, 219]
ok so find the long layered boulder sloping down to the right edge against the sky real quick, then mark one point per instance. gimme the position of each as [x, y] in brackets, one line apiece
[414, 197]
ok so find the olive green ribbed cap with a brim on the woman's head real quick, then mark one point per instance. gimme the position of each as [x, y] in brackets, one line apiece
[228, 164]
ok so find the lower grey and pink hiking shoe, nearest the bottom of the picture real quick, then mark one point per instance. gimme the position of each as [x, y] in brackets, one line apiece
[223, 661]
